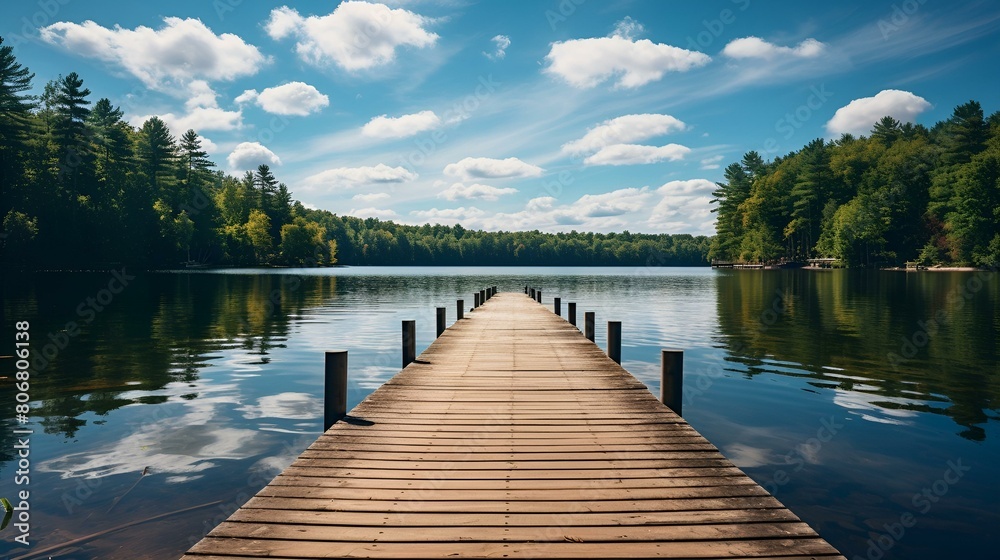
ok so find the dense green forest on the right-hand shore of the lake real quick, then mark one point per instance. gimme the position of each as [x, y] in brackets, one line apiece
[905, 193]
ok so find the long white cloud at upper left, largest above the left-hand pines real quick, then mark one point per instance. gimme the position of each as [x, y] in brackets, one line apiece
[167, 58]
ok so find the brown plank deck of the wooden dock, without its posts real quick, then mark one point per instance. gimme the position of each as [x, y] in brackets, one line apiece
[512, 436]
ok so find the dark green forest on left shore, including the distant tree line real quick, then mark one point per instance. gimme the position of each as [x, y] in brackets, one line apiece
[84, 189]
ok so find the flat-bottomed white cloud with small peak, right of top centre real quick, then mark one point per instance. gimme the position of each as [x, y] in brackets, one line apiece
[585, 63]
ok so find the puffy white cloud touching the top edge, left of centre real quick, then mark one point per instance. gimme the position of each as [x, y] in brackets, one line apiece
[355, 36]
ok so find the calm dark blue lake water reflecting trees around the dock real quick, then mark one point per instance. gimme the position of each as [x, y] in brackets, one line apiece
[861, 400]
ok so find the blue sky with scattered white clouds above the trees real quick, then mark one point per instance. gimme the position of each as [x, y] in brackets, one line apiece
[555, 115]
